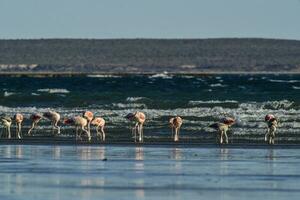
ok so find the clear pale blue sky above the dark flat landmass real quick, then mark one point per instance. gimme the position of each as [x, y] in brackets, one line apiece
[102, 19]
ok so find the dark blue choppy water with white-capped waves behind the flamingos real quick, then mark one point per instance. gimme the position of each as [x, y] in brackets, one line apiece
[200, 100]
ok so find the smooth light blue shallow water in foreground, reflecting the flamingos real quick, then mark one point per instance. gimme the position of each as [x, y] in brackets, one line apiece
[153, 172]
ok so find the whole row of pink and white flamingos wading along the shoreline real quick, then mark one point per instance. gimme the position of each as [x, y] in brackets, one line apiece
[83, 124]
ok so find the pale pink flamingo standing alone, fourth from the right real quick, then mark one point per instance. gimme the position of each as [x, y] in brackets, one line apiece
[139, 118]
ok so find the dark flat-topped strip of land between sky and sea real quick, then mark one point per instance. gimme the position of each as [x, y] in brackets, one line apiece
[149, 56]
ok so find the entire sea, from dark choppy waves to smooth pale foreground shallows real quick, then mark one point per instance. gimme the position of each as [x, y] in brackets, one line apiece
[44, 166]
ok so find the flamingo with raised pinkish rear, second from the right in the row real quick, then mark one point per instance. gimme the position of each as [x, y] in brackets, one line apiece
[222, 127]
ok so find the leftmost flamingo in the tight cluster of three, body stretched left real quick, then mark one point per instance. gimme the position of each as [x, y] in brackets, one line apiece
[79, 123]
